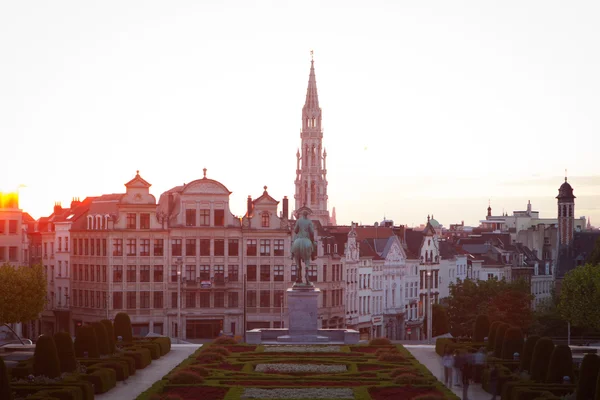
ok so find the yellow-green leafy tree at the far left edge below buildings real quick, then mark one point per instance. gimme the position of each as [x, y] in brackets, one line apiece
[23, 293]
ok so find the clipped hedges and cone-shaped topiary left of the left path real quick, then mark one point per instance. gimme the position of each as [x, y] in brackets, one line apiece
[65, 369]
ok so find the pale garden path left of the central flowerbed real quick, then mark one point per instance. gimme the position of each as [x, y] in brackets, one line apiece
[145, 378]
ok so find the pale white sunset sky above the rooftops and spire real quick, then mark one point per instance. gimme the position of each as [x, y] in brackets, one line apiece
[432, 107]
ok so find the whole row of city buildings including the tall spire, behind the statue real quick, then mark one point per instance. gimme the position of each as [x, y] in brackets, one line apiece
[186, 267]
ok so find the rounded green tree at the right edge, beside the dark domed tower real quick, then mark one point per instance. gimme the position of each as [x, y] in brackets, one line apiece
[580, 296]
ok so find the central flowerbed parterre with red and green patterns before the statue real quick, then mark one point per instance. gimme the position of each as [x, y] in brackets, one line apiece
[226, 369]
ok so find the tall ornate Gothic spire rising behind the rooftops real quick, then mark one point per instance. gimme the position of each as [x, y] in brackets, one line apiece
[311, 169]
